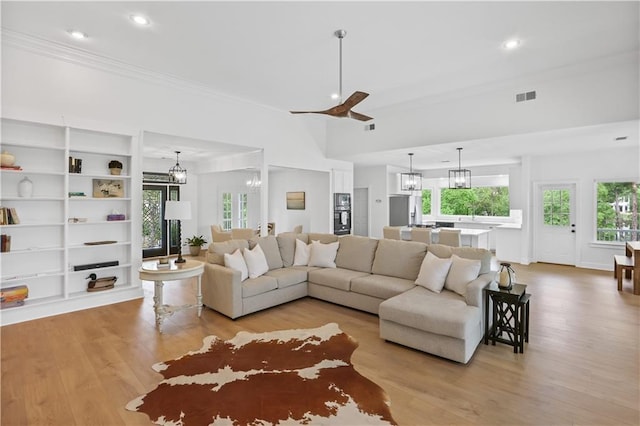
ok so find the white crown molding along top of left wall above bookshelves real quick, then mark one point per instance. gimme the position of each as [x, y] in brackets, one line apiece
[76, 56]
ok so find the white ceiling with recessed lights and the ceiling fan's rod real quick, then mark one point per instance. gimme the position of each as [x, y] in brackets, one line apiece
[284, 54]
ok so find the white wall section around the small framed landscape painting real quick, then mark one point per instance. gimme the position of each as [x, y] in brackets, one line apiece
[317, 215]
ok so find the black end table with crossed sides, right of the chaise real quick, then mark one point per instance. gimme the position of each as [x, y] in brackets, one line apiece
[510, 316]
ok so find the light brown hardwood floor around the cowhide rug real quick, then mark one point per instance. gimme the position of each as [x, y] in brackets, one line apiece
[581, 365]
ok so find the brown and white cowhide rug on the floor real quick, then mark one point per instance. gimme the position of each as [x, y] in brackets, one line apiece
[280, 377]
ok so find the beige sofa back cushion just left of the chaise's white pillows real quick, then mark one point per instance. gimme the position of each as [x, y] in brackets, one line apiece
[401, 259]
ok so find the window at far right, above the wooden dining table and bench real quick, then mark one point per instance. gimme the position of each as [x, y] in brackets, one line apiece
[617, 211]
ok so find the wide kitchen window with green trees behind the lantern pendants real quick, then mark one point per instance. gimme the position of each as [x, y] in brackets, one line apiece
[479, 201]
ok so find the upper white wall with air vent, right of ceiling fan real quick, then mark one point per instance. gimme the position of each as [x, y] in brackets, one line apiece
[604, 91]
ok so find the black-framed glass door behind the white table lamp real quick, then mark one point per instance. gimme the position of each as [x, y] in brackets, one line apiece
[159, 236]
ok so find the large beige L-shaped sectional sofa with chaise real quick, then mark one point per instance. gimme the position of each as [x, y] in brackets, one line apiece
[376, 276]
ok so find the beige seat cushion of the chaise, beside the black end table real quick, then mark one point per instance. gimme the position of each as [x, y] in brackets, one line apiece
[446, 313]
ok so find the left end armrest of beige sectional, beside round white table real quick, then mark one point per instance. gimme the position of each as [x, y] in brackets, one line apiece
[222, 289]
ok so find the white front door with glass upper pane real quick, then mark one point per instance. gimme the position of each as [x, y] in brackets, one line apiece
[555, 228]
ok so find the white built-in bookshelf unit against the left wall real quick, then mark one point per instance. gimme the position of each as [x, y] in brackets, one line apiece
[56, 221]
